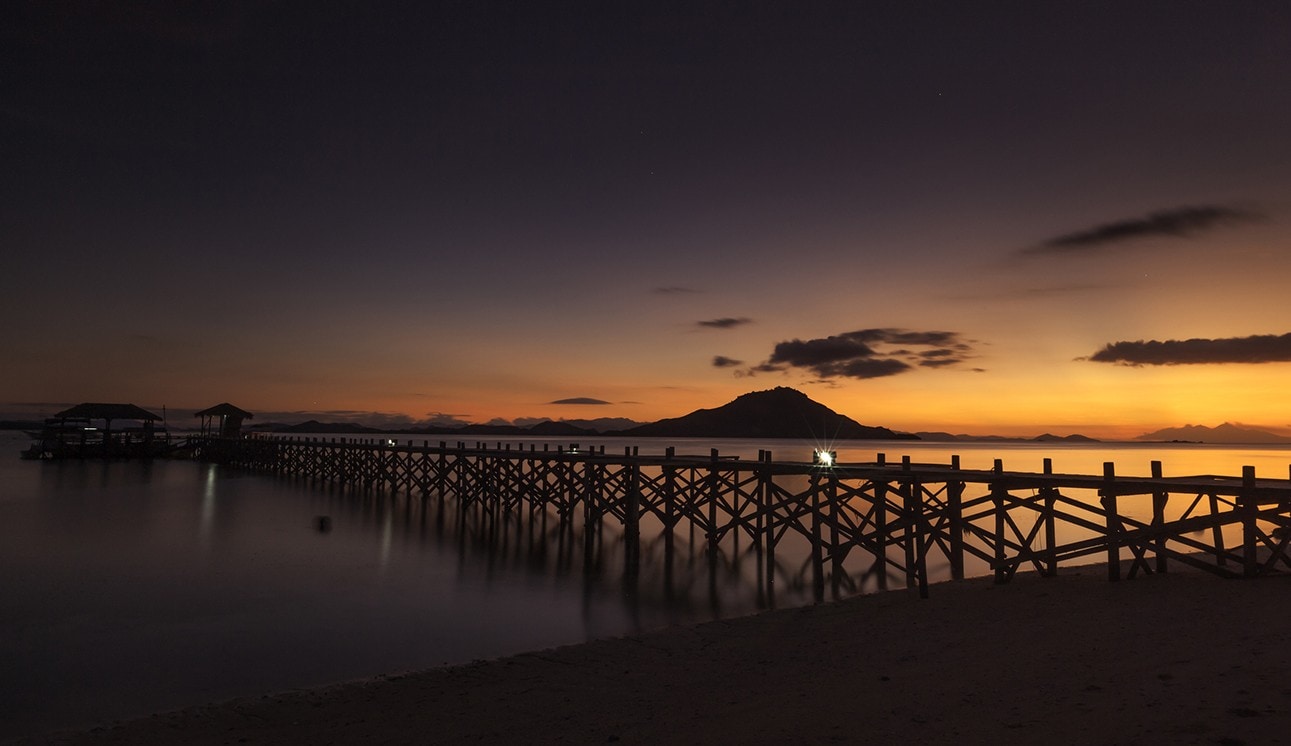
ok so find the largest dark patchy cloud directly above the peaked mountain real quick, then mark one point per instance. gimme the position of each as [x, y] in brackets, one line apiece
[866, 354]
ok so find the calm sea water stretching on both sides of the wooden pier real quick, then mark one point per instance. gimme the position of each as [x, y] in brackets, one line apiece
[132, 588]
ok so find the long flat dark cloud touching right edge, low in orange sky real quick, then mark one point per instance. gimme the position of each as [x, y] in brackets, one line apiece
[1255, 349]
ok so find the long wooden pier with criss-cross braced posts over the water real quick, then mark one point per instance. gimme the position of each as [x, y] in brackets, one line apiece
[846, 529]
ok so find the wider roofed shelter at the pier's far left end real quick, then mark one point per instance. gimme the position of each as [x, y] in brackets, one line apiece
[76, 433]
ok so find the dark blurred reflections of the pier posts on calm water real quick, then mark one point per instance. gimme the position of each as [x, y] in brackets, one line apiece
[678, 576]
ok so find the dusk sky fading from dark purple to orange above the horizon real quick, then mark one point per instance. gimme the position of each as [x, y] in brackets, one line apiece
[981, 217]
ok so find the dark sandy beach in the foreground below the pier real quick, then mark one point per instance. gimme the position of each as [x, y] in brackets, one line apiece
[1169, 659]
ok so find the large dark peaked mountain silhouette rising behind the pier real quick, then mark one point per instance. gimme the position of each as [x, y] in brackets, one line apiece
[778, 414]
